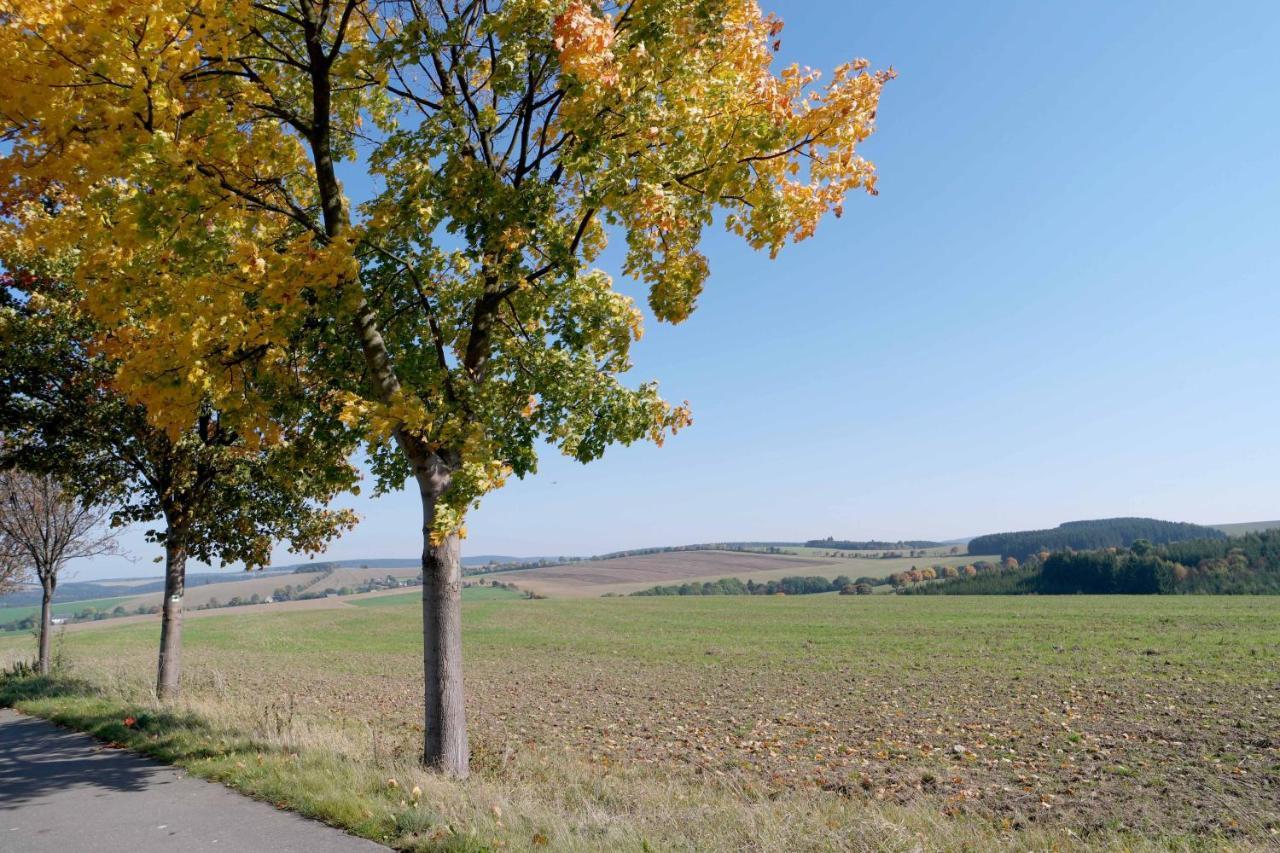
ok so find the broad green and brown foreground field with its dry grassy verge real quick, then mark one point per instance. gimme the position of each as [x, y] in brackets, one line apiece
[815, 723]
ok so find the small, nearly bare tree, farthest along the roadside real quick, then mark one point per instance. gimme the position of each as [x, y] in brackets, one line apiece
[52, 528]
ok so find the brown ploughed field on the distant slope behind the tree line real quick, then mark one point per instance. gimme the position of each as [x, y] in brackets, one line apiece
[624, 576]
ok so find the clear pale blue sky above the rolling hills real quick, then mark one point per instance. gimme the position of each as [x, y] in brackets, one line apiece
[1063, 304]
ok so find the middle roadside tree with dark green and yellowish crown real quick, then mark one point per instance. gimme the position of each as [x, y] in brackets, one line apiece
[220, 496]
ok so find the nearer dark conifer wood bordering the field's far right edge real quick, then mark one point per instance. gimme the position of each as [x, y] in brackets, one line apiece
[1245, 567]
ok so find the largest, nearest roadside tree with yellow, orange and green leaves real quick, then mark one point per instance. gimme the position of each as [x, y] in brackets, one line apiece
[191, 156]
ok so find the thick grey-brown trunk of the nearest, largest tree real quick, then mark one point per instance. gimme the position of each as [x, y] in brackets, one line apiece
[446, 735]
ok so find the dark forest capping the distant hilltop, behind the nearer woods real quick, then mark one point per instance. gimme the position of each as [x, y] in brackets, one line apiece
[1090, 536]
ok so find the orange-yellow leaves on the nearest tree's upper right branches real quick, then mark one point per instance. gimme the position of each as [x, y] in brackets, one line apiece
[682, 115]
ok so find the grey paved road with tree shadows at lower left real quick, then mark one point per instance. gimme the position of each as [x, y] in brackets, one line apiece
[65, 792]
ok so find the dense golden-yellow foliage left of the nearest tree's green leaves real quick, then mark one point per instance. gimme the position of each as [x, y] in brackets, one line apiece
[150, 163]
